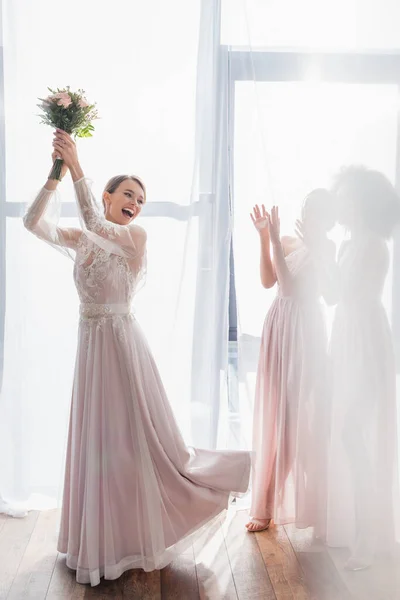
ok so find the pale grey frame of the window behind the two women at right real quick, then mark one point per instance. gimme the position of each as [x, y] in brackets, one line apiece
[334, 67]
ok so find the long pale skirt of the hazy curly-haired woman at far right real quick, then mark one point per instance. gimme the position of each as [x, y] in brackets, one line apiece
[363, 465]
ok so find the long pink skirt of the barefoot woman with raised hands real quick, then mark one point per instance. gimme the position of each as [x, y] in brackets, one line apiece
[290, 416]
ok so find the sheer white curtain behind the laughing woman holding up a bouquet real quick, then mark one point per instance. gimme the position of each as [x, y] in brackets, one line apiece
[155, 82]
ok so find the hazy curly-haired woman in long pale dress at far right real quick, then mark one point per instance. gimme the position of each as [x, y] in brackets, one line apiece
[363, 466]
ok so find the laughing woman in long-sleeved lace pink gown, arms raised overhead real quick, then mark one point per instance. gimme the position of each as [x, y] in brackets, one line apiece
[134, 493]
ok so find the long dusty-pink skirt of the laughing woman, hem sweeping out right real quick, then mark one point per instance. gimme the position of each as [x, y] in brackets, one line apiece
[134, 493]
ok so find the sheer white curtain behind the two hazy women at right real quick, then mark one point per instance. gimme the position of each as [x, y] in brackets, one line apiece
[313, 86]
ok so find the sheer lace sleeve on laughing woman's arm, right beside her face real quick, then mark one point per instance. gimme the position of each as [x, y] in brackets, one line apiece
[128, 241]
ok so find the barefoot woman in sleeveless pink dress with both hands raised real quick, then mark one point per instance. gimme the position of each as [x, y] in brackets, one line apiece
[291, 405]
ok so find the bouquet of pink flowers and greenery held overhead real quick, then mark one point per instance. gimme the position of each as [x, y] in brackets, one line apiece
[69, 111]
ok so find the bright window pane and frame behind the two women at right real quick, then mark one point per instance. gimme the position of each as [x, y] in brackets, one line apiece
[297, 117]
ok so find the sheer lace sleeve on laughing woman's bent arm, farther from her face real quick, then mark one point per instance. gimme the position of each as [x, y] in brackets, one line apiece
[38, 221]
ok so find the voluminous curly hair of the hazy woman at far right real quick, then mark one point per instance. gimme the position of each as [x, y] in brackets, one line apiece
[376, 201]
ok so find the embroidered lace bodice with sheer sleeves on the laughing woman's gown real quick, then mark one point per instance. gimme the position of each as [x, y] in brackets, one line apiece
[110, 259]
